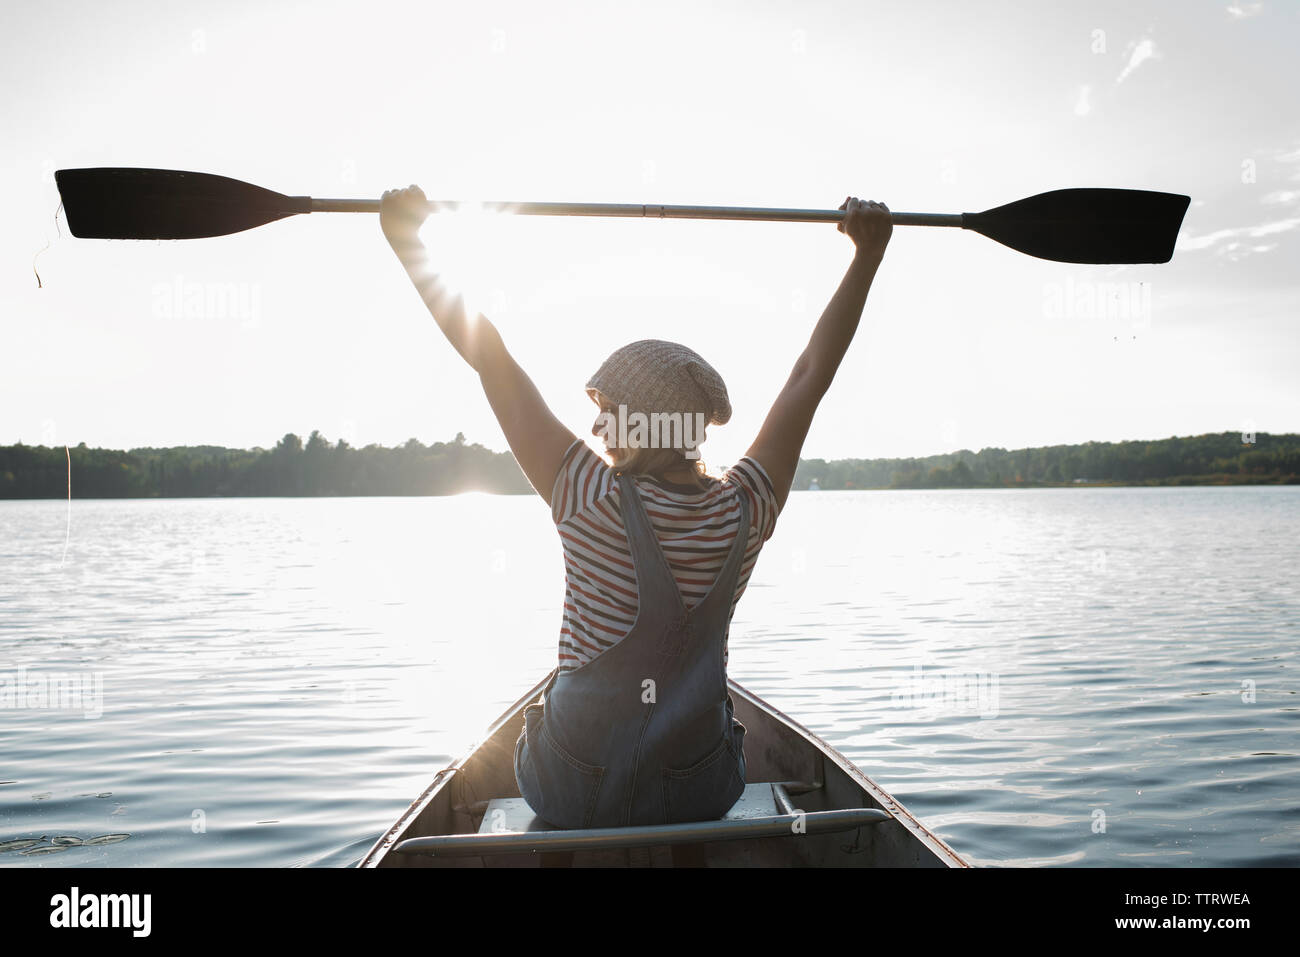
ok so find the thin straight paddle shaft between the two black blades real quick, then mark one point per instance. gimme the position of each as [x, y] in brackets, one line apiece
[655, 213]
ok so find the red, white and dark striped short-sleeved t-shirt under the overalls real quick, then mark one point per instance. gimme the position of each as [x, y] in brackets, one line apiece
[696, 530]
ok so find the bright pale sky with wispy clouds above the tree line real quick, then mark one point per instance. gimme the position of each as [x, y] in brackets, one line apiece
[310, 323]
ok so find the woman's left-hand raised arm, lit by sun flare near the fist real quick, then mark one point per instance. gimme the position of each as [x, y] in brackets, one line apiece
[538, 439]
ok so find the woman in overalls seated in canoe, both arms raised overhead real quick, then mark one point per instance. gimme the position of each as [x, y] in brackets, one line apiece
[636, 726]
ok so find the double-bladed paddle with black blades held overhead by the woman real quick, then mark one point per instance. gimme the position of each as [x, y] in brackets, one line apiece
[1080, 226]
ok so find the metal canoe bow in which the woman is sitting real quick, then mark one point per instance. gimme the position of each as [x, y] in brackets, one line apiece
[805, 806]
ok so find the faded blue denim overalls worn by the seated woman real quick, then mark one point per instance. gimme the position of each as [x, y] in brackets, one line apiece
[644, 734]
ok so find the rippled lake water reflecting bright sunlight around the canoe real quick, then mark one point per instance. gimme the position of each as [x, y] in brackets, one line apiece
[1059, 677]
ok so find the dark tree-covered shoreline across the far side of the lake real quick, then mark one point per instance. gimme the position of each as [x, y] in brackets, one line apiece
[319, 467]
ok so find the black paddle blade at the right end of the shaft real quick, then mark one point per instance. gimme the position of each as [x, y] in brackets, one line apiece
[1087, 226]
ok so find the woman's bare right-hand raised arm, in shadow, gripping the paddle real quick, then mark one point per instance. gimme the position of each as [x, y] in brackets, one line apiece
[787, 426]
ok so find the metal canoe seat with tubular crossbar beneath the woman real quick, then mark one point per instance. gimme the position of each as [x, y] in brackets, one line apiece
[764, 811]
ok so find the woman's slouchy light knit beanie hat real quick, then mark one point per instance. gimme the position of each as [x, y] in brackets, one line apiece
[657, 376]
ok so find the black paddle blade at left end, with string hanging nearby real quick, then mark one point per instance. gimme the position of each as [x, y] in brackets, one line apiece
[124, 203]
